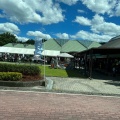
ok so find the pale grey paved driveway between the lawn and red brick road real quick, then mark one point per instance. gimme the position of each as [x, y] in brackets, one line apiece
[94, 86]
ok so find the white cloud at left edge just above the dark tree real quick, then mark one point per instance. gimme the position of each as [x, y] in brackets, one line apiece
[9, 27]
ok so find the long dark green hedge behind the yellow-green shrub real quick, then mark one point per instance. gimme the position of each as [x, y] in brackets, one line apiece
[21, 68]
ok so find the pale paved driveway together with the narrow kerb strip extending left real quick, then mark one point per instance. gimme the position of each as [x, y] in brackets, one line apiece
[76, 85]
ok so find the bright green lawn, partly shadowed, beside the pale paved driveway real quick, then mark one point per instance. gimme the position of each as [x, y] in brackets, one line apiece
[59, 72]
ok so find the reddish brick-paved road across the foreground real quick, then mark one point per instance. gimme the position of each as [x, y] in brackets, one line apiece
[48, 106]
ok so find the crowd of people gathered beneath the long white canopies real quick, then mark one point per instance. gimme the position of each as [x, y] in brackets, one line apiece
[54, 62]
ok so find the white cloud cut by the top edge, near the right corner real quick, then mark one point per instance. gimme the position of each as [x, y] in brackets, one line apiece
[101, 6]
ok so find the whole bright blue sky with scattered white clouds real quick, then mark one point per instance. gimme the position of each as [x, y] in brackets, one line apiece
[94, 20]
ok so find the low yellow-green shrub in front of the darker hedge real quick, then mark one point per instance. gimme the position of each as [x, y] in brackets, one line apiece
[10, 76]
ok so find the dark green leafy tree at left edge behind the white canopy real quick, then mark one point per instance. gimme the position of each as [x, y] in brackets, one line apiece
[6, 38]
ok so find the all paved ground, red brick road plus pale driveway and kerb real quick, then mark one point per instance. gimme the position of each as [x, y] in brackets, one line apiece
[16, 105]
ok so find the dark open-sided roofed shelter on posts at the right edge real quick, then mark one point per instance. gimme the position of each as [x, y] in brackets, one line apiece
[104, 58]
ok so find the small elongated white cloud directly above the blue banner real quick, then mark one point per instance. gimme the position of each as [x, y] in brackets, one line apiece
[38, 34]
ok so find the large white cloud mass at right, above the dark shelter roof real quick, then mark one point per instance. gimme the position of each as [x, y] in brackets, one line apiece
[101, 30]
